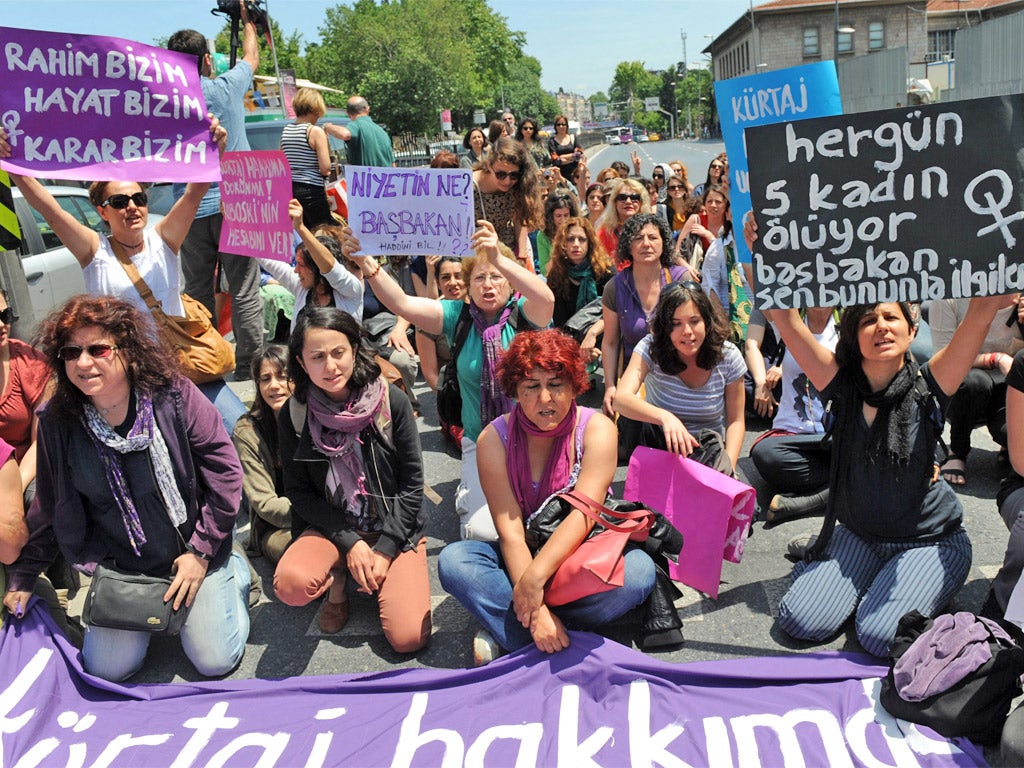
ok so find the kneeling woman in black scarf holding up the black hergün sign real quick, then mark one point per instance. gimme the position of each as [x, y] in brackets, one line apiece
[902, 545]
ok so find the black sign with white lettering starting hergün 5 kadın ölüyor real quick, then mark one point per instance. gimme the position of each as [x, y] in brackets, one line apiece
[901, 205]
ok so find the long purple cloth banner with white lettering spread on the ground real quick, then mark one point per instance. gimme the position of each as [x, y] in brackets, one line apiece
[596, 704]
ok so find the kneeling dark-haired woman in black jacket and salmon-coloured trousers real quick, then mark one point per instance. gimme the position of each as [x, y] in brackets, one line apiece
[354, 473]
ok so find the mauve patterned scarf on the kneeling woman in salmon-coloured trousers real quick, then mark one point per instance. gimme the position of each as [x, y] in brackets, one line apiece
[335, 430]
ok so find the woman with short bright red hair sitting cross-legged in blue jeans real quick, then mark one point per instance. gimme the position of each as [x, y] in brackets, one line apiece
[545, 446]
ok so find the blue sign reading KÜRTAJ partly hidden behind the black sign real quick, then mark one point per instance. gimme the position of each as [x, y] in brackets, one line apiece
[781, 96]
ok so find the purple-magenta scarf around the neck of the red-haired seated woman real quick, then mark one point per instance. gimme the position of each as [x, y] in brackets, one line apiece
[557, 472]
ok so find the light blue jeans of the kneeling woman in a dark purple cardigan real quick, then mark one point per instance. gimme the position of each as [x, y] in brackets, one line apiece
[214, 637]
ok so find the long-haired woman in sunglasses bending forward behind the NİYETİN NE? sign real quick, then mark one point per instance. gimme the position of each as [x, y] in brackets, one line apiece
[508, 195]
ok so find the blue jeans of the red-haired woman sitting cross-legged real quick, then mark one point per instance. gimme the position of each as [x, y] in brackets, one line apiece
[474, 573]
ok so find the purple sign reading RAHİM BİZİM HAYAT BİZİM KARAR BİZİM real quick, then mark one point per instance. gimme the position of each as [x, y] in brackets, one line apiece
[84, 107]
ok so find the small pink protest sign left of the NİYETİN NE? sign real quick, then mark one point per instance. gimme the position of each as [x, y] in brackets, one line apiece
[255, 191]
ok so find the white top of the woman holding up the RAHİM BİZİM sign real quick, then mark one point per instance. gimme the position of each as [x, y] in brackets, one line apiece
[157, 265]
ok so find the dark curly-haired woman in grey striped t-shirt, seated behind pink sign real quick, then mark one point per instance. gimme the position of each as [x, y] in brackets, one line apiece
[692, 374]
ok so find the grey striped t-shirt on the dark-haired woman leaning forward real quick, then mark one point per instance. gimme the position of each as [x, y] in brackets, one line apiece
[701, 408]
